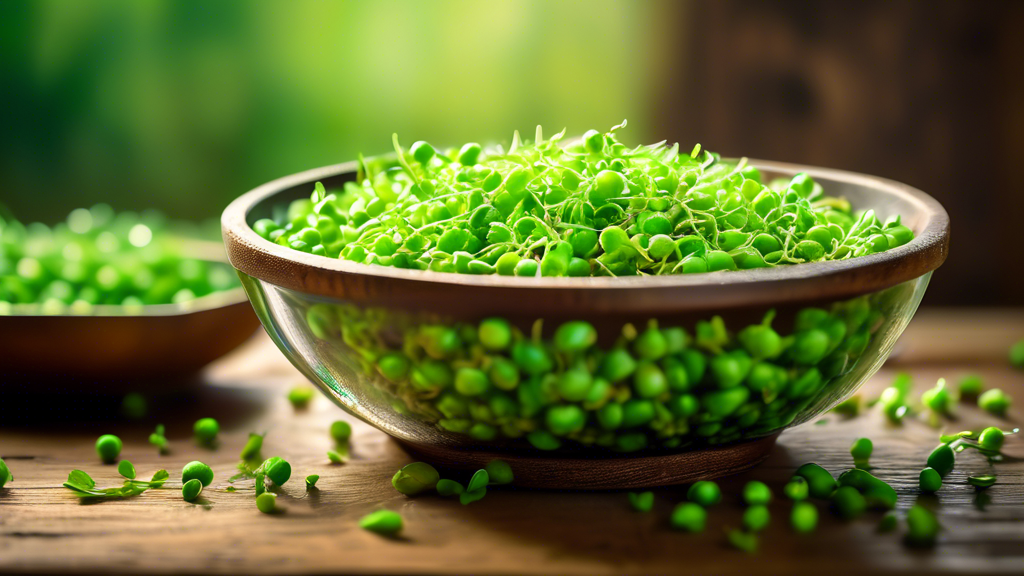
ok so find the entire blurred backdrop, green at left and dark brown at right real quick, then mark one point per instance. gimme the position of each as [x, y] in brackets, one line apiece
[185, 105]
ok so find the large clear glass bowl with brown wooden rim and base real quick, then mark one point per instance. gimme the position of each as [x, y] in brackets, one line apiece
[590, 383]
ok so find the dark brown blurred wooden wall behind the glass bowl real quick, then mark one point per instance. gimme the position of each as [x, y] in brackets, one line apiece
[930, 94]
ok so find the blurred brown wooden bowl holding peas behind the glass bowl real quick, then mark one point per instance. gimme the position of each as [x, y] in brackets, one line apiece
[114, 348]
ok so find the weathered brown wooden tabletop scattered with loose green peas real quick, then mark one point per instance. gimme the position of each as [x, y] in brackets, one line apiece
[44, 528]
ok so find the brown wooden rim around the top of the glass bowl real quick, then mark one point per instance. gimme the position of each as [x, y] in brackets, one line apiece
[335, 278]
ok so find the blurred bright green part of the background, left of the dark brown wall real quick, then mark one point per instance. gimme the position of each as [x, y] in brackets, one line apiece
[183, 106]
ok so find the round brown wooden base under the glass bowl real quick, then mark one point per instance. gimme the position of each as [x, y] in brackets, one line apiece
[607, 474]
